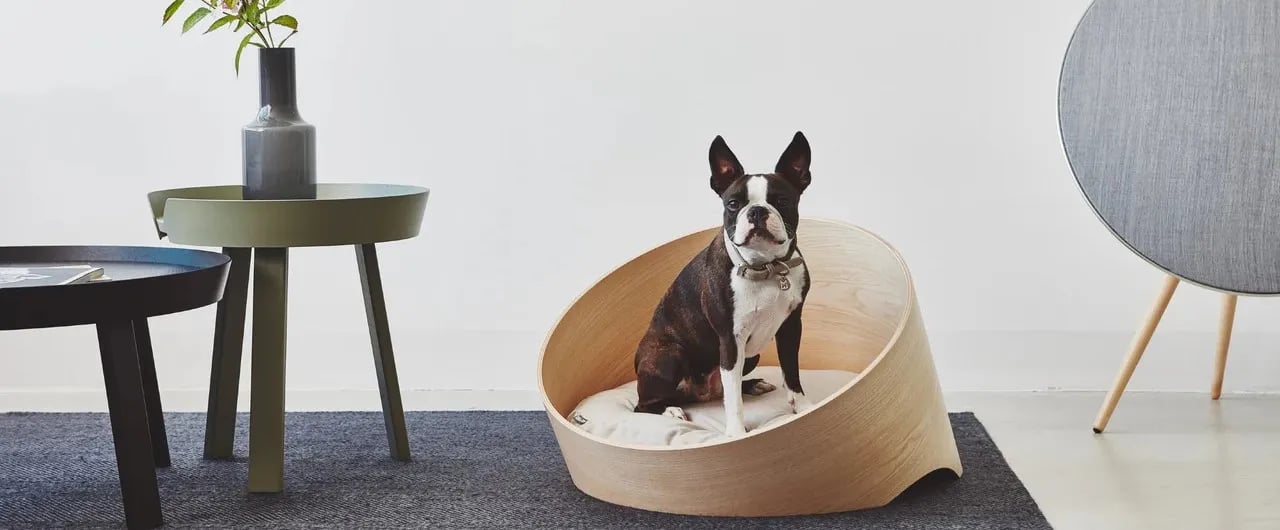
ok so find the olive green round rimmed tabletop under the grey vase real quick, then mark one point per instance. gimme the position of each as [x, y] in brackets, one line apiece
[340, 214]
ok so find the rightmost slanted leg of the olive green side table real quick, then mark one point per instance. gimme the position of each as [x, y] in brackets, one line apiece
[385, 360]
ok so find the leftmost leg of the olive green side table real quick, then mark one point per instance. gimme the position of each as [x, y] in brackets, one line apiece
[228, 350]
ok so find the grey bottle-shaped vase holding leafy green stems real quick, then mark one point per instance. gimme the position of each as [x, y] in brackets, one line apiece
[280, 148]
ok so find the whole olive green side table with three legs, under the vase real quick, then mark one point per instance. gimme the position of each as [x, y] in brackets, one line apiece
[262, 232]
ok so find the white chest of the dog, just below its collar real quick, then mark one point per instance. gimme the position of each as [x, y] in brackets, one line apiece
[762, 307]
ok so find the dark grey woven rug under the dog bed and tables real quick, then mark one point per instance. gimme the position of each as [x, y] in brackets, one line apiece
[472, 470]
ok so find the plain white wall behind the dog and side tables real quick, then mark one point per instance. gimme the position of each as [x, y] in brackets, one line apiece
[563, 138]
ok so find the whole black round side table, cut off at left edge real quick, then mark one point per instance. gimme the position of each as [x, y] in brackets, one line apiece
[145, 282]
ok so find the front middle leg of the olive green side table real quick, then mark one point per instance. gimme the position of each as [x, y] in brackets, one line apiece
[267, 390]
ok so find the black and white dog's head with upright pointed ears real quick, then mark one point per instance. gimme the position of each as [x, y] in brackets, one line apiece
[761, 211]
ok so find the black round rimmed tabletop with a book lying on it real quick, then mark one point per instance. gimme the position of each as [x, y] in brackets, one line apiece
[143, 282]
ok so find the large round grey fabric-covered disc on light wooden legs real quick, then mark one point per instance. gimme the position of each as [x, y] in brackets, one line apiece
[1169, 112]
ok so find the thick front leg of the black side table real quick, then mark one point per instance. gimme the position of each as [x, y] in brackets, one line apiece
[130, 431]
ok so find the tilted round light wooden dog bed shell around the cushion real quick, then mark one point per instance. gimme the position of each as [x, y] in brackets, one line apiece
[858, 449]
